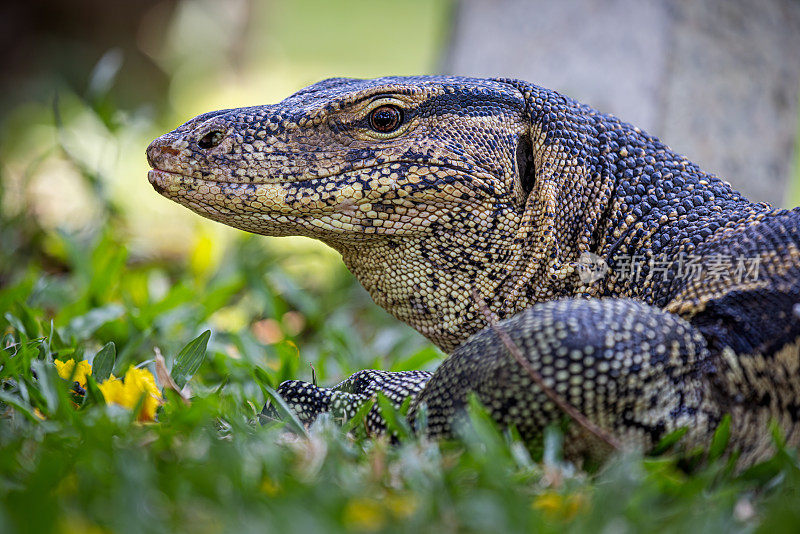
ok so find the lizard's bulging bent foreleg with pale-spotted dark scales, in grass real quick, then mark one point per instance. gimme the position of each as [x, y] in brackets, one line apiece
[627, 366]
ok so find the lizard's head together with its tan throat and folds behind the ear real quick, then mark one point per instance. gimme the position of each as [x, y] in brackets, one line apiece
[428, 186]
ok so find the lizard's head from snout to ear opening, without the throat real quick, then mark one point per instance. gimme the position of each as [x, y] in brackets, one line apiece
[346, 160]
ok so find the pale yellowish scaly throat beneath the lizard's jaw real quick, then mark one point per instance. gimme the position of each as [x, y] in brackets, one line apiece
[431, 287]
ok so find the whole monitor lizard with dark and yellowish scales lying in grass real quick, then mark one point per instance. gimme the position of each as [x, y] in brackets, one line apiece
[503, 186]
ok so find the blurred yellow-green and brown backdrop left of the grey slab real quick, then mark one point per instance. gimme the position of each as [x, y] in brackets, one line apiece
[88, 84]
